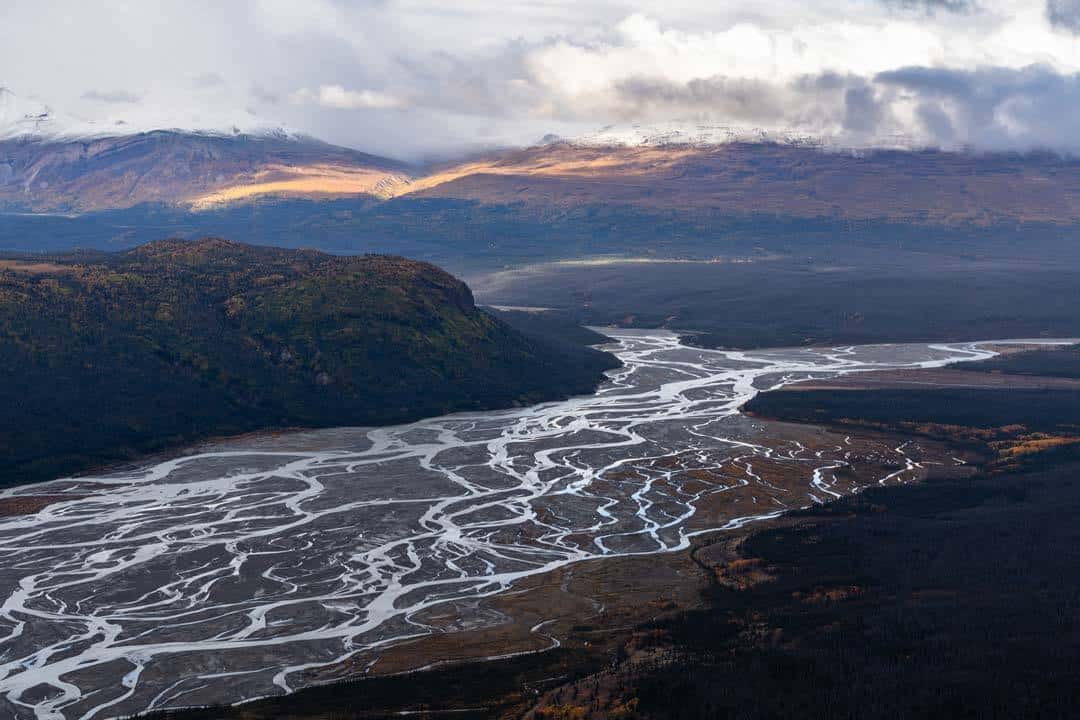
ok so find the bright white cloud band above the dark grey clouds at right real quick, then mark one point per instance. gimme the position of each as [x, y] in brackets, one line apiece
[586, 76]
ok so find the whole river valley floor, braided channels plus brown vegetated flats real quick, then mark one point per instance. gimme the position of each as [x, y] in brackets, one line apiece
[296, 561]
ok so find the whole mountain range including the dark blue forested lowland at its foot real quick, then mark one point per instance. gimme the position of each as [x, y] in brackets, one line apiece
[671, 192]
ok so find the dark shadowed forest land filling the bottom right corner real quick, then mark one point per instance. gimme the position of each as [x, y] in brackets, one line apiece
[956, 599]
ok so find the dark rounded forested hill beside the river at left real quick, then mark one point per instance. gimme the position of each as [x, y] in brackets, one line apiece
[106, 357]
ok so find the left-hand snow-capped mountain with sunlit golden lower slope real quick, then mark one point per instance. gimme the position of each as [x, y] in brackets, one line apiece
[52, 164]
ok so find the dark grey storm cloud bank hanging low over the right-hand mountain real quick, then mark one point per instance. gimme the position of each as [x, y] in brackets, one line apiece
[994, 108]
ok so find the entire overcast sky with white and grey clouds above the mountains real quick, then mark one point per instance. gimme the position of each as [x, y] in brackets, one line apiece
[417, 78]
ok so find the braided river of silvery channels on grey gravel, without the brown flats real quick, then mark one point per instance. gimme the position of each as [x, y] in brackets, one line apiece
[235, 572]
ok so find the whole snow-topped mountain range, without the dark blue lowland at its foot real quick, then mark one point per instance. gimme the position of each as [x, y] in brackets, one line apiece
[53, 164]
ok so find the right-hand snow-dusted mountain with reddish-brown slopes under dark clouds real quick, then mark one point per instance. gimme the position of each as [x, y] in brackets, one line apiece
[705, 172]
